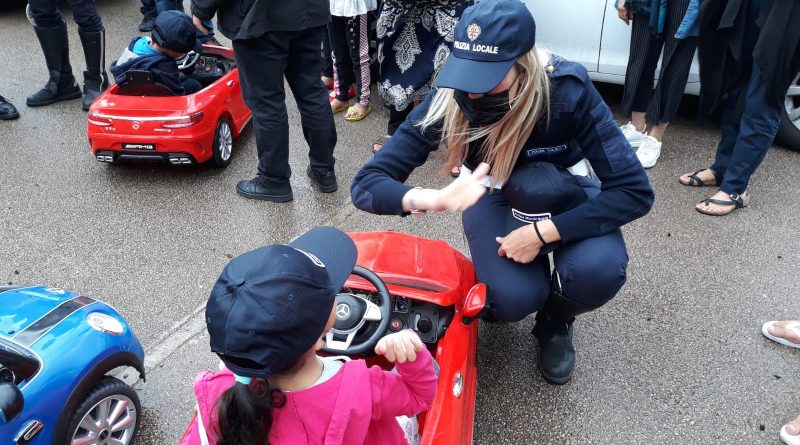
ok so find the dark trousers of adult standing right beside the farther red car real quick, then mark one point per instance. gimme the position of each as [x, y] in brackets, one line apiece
[263, 63]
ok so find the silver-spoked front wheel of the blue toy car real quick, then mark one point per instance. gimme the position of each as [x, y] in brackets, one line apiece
[110, 400]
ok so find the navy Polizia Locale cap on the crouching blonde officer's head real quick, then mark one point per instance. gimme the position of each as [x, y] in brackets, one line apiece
[489, 37]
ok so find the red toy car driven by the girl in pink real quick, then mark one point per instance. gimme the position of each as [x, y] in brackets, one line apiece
[403, 281]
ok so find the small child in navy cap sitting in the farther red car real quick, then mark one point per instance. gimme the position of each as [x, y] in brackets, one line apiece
[173, 36]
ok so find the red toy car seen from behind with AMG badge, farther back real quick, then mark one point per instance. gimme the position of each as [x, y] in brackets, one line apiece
[141, 119]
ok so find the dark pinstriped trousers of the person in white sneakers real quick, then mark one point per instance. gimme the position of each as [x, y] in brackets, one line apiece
[661, 104]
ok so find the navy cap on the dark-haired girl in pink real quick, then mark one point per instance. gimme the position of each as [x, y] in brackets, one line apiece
[270, 305]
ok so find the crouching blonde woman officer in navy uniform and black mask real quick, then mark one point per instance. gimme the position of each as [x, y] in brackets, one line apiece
[518, 117]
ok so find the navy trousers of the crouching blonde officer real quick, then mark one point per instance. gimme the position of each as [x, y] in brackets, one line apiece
[591, 270]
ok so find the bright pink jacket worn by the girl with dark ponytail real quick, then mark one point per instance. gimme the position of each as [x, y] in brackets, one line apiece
[356, 406]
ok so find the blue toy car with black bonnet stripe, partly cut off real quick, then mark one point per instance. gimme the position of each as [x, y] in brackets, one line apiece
[57, 349]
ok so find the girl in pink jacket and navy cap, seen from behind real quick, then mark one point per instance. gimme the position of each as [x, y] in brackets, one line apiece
[267, 317]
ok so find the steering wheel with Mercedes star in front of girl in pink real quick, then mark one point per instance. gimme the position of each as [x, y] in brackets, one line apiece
[353, 312]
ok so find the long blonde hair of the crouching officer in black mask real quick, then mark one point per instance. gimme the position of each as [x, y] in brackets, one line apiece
[505, 138]
